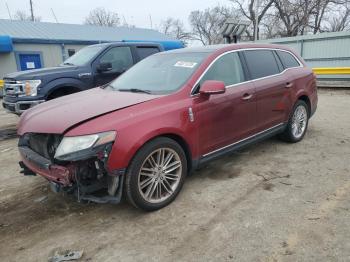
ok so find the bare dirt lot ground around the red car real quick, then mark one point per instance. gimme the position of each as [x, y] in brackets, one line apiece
[270, 202]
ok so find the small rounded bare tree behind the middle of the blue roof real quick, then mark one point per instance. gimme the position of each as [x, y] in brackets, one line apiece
[102, 17]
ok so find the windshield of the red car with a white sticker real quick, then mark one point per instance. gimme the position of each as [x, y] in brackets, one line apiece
[159, 74]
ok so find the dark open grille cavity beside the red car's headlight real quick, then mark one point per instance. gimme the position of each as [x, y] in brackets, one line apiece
[43, 144]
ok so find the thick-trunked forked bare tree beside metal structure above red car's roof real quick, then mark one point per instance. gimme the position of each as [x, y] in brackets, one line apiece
[248, 10]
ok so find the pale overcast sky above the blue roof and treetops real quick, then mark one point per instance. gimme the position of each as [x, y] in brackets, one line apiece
[134, 12]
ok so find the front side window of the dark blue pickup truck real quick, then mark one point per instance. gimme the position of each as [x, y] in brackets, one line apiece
[119, 57]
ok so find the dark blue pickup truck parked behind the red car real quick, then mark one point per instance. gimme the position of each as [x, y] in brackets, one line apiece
[92, 66]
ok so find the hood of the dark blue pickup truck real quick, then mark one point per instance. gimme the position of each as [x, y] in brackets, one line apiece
[39, 73]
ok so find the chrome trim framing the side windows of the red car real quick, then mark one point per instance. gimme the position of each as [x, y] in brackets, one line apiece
[248, 81]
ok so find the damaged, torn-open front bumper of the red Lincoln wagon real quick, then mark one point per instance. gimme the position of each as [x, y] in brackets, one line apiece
[78, 177]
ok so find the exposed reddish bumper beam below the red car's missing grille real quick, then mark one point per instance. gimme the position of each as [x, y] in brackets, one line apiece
[44, 167]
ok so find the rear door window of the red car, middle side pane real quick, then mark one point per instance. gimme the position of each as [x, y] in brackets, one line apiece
[261, 63]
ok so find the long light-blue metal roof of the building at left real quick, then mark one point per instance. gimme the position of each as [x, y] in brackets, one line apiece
[27, 31]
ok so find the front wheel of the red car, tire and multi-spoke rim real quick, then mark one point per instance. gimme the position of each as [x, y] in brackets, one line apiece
[165, 182]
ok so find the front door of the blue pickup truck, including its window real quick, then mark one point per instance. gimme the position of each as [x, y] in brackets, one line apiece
[120, 58]
